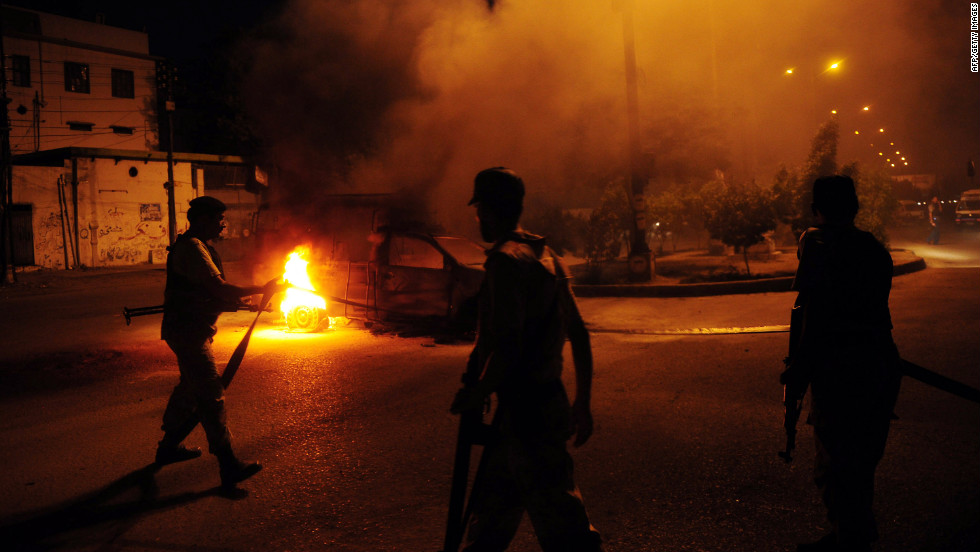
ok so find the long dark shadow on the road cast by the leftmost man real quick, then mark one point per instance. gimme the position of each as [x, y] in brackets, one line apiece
[101, 516]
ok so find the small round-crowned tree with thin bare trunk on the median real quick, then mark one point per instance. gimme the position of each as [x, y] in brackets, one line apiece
[739, 216]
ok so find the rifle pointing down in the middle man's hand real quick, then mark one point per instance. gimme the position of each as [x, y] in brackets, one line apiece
[472, 431]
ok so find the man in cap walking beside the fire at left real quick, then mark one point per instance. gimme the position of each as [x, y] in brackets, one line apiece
[195, 295]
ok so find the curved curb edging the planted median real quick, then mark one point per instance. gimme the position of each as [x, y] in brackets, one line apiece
[764, 285]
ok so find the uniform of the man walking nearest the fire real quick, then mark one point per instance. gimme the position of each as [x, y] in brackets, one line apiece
[188, 327]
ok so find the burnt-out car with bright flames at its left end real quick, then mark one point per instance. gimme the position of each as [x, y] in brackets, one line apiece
[368, 257]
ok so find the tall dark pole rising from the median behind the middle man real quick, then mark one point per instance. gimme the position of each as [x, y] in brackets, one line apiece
[639, 254]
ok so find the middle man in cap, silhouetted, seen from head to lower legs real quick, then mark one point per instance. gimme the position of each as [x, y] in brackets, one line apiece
[526, 312]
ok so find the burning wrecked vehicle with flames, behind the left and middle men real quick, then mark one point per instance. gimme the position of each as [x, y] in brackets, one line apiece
[376, 274]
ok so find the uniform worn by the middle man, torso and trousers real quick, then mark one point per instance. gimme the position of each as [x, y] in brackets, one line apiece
[526, 303]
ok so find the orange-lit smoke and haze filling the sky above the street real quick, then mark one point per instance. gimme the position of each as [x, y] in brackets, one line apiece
[384, 95]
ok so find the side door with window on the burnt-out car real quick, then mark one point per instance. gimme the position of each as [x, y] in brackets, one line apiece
[413, 280]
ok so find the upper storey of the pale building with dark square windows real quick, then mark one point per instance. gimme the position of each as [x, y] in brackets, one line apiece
[76, 83]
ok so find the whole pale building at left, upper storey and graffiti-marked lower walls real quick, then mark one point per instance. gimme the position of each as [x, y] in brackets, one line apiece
[88, 179]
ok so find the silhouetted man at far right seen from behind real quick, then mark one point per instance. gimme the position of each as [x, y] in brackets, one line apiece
[847, 358]
